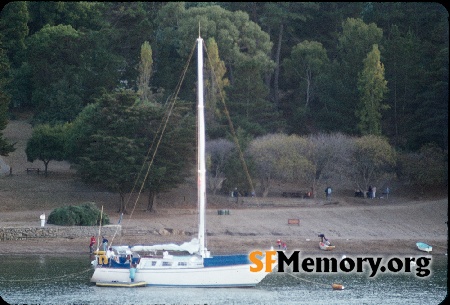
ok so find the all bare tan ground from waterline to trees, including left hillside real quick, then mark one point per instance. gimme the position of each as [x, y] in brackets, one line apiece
[386, 226]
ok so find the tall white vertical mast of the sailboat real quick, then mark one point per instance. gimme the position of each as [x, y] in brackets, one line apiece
[201, 187]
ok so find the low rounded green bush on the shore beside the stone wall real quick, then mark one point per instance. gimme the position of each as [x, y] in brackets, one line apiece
[86, 214]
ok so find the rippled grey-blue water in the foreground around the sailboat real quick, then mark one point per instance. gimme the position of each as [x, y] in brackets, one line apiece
[55, 280]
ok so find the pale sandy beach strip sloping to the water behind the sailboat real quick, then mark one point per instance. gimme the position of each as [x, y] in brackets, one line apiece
[371, 227]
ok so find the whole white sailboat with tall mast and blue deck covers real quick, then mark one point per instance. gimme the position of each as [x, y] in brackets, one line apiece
[189, 264]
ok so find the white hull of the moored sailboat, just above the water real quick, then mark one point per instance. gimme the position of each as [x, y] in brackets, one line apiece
[225, 276]
